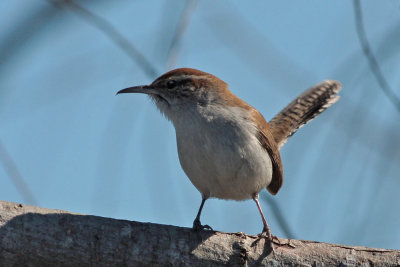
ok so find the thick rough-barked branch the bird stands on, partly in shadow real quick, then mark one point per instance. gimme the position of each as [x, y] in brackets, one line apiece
[32, 236]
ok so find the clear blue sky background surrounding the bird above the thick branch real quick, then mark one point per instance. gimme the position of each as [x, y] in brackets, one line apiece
[80, 148]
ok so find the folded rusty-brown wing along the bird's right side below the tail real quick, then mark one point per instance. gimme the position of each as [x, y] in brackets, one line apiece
[267, 141]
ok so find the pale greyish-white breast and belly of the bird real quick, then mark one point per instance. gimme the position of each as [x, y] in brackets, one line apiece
[219, 152]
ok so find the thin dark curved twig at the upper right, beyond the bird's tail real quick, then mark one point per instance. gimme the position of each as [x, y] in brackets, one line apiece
[373, 63]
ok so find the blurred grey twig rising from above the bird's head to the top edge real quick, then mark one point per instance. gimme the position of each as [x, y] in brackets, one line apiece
[187, 14]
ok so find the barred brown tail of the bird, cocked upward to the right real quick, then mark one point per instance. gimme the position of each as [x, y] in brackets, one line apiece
[303, 109]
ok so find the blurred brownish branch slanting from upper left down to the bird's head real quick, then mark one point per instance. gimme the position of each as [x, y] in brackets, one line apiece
[109, 30]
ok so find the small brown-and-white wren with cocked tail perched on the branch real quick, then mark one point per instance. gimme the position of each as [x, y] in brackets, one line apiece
[225, 146]
